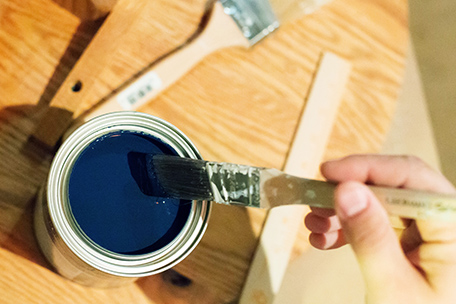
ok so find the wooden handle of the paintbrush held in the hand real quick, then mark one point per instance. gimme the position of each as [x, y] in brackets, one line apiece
[405, 203]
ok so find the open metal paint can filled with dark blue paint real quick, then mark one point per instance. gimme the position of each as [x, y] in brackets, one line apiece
[92, 221]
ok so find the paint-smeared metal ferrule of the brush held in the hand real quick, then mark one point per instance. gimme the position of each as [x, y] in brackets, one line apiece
[234, 184]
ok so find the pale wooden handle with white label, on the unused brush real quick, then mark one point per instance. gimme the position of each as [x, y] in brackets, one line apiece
[220, 32]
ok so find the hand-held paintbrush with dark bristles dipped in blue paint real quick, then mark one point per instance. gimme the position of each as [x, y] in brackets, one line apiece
[234, 184]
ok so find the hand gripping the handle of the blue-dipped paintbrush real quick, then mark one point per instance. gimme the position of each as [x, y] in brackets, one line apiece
[420, 267]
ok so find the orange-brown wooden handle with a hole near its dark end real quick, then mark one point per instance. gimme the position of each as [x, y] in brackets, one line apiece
[71, 94]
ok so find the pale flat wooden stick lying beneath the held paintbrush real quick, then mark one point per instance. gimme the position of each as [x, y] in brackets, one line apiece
[306, 153]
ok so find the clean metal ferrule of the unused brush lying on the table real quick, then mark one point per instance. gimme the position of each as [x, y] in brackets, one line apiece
[254, 18]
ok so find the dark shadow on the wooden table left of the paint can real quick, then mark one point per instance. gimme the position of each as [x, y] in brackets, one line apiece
[23, 169]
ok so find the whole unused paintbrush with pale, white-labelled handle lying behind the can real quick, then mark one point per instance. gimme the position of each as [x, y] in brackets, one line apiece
[227, 23]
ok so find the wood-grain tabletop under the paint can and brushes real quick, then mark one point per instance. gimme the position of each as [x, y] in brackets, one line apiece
[237, 105]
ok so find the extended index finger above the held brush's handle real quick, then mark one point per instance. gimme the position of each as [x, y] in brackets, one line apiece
[387, 170]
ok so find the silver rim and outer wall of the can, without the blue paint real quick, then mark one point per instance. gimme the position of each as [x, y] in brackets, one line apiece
[64, 240]
